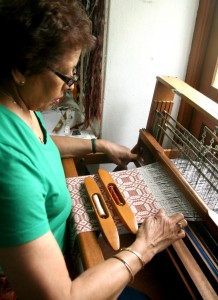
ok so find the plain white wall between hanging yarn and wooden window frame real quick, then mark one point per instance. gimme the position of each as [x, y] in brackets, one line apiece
[145, 39]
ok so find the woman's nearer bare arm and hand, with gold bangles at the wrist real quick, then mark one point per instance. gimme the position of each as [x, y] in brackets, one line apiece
[37, 269]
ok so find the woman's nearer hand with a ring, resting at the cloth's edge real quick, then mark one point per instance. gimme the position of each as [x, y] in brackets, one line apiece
[158, 232]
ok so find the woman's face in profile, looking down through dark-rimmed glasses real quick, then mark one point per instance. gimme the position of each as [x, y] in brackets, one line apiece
[42, 91]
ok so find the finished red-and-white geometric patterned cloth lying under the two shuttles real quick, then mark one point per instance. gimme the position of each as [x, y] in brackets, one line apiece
[131, 185]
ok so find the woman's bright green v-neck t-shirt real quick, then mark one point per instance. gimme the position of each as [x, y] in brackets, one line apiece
[33, 194]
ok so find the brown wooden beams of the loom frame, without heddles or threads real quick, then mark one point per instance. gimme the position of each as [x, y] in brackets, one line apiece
[150, 150]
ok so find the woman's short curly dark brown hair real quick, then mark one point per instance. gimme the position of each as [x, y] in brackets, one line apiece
[35, 34]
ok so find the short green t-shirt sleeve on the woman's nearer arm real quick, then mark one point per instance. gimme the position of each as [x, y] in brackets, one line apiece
[22, 215]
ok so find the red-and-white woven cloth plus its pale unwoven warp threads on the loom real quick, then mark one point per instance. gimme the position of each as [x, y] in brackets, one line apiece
[145, 189]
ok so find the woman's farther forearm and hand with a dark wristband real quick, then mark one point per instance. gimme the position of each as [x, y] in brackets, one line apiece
[69, 147]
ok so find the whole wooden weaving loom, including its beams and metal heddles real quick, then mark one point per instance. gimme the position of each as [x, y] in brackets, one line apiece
[162, 140]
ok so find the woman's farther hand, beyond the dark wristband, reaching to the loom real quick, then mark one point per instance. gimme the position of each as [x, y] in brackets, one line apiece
[120, 155]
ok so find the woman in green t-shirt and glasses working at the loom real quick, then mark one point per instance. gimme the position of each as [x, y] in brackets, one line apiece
[42, 43]
